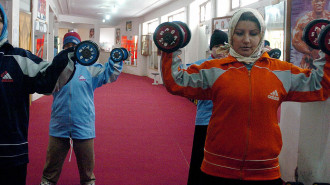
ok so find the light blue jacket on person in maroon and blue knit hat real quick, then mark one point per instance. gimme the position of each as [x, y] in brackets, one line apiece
[73, 110]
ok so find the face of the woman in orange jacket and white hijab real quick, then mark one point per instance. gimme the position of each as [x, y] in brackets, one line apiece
[246, 38]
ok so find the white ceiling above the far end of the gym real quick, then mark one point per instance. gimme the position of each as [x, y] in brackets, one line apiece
[96, 10]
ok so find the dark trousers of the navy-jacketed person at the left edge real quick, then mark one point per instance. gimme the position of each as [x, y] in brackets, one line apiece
[13, 175]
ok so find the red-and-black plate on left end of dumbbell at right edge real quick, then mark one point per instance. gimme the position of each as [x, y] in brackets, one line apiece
[309, 34]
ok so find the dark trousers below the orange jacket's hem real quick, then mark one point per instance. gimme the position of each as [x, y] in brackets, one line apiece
[212, 180]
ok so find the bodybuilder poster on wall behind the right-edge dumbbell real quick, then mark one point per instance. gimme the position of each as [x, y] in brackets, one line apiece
[303, 12]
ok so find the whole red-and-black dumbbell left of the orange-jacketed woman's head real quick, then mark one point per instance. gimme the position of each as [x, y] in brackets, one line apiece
[171, 36]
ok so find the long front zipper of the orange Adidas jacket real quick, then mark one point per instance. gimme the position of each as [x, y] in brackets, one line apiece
[248, 124]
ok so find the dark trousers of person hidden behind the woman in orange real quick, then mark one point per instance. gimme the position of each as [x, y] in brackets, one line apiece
[197, 154]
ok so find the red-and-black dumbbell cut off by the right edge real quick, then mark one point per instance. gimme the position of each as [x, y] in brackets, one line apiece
[318, 41]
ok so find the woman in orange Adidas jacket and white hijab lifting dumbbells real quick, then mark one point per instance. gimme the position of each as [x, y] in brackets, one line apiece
[244, 139]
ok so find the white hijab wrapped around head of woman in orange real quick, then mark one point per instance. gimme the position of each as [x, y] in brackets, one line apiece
[259, 50]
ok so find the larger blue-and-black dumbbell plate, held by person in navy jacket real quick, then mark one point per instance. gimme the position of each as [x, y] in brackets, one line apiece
[86, 52]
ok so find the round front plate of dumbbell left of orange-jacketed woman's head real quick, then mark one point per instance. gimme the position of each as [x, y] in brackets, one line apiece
[168, 37]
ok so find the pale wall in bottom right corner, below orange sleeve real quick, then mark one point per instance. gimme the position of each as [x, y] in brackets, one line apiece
[314, 143]
